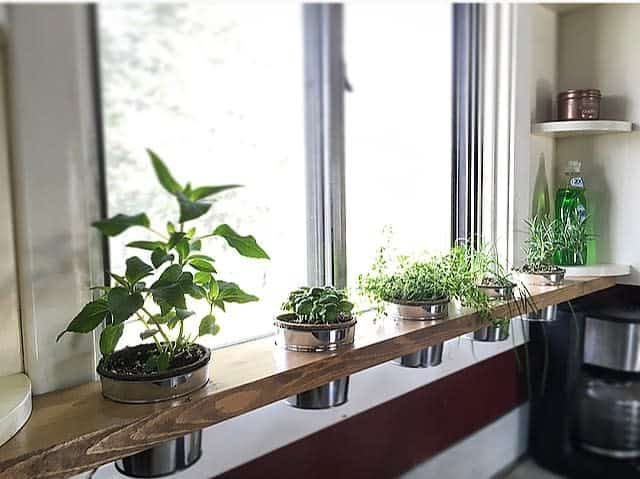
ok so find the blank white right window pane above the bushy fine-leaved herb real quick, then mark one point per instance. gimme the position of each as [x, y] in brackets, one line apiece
[398, 128]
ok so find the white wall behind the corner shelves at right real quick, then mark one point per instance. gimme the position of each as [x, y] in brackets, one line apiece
[598, 48]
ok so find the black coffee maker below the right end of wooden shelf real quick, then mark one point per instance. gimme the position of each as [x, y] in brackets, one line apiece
[585, 378]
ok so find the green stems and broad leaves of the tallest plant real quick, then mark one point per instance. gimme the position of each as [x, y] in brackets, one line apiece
[154, 291]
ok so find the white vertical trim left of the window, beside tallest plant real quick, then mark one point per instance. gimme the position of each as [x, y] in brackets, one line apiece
[57, 185]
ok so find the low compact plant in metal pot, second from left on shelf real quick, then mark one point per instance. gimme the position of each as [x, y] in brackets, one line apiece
[317, 319]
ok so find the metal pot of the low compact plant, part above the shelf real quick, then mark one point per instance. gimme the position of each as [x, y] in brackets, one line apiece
[313, 337]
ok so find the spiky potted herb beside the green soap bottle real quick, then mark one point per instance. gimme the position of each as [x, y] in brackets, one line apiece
[541, 246]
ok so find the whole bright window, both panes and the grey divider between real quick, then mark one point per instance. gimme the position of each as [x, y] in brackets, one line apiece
[220, 91]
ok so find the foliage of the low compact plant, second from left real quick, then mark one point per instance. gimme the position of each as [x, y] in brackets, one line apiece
[319, 305]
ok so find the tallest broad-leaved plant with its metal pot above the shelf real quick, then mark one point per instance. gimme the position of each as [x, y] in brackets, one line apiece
[155, 291]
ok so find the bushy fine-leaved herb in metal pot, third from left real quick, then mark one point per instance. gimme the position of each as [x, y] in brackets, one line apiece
[412, 290]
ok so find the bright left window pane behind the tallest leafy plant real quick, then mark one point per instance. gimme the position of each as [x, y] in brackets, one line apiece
[216, 90]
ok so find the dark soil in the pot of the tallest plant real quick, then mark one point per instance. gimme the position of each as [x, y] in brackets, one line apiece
[130, 363]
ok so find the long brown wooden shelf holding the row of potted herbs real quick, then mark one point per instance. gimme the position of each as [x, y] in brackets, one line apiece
[76, 429]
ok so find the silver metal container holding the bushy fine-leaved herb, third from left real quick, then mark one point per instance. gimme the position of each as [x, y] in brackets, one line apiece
[420, 311]
